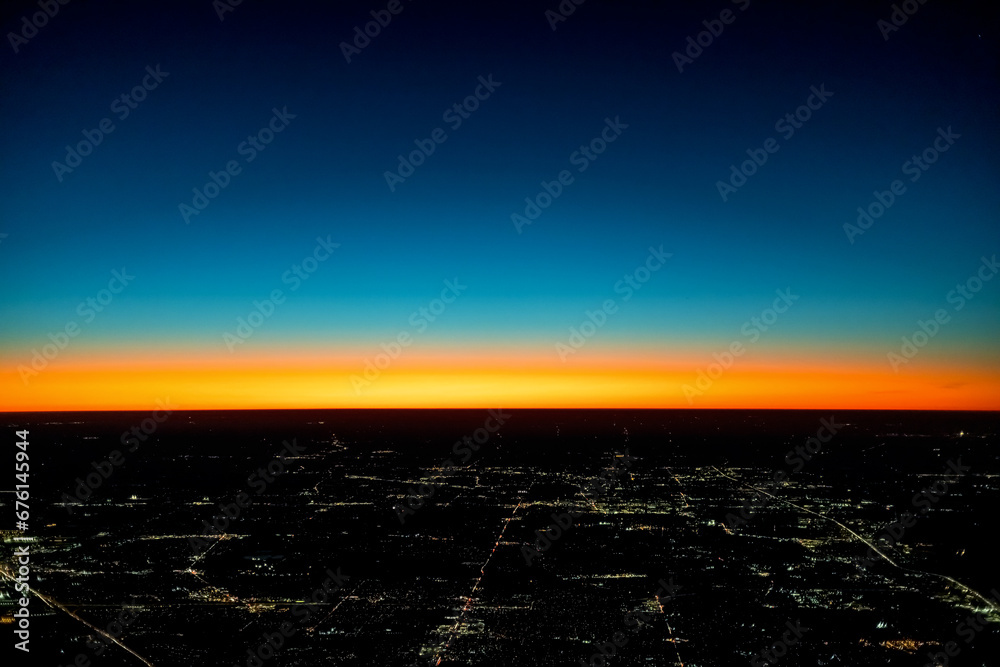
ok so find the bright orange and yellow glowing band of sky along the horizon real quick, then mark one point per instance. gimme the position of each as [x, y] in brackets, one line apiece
[470, 380]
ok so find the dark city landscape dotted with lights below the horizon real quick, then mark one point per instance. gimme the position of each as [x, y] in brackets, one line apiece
[693, 538]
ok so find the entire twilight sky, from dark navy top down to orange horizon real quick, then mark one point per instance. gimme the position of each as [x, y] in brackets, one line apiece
[261, 206]
